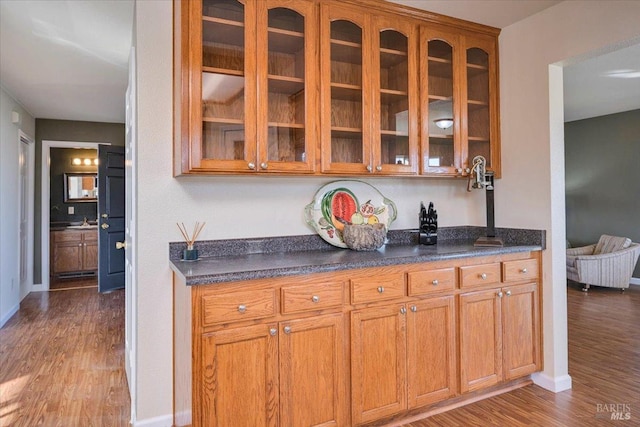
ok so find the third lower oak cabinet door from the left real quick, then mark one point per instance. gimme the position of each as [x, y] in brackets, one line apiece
[378, 362]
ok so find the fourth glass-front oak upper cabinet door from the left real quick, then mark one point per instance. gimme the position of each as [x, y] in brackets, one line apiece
[395, 97]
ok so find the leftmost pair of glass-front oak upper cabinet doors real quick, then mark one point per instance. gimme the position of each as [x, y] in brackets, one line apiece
[251, 63]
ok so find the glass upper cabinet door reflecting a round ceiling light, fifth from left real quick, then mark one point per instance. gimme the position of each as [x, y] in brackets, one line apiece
[441, 141]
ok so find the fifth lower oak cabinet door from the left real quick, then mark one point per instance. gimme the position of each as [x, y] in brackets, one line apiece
[480, 334]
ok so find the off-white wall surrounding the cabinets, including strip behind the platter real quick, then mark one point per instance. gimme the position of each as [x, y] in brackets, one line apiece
[236, 207]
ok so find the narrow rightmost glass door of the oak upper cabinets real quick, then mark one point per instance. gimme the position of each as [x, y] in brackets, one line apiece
[478, 104]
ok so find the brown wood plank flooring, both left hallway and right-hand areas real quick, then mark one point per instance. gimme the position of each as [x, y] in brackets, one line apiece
[62, 364]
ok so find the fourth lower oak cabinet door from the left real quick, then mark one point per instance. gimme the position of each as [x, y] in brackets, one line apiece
[431, 351]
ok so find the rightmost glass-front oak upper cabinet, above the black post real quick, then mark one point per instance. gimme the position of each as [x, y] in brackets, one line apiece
[480, 99]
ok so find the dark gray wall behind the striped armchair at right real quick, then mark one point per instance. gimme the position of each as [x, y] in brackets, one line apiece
[602, 171]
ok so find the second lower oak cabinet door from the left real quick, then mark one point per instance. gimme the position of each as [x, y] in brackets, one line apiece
[313, 386]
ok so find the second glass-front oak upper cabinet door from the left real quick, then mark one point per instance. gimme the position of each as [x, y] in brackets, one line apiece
[285, 70]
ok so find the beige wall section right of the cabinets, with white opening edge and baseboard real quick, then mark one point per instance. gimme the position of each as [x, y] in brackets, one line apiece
[533, 138]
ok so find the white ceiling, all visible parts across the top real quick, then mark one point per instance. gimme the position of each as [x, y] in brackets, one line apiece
[68, 59]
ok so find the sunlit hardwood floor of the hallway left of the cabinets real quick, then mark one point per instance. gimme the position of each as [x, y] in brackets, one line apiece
[62, 361]
